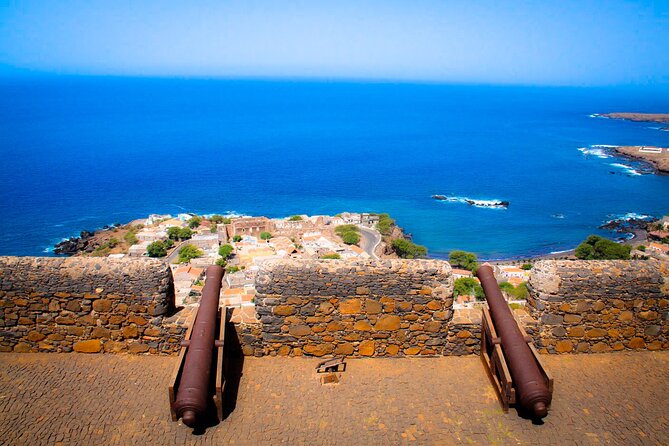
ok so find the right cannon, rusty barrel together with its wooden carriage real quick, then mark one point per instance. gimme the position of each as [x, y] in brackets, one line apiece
[530, 385]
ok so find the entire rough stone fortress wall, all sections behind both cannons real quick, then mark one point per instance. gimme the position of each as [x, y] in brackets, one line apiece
[328, 307]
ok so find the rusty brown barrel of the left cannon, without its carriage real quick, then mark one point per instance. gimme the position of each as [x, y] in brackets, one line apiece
[193, 391]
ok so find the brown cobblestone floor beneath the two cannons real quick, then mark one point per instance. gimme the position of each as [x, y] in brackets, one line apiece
[620, 398]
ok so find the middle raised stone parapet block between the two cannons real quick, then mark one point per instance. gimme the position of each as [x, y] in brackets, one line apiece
[361, 308]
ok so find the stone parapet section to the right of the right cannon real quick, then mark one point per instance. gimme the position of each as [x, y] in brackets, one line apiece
[599, 306]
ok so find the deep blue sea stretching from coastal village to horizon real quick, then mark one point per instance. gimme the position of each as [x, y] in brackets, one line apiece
[79, 153]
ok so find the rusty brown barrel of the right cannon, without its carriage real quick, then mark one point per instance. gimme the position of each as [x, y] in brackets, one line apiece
[531, 388]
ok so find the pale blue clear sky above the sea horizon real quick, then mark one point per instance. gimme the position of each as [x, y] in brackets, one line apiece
[499, 42]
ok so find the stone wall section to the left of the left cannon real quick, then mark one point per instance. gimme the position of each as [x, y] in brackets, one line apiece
[87, 304]
